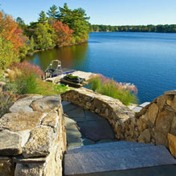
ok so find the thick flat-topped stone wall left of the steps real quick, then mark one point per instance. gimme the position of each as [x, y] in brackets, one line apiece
[32, 138]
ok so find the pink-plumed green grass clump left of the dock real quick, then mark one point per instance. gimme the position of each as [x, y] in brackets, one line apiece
[26, 78]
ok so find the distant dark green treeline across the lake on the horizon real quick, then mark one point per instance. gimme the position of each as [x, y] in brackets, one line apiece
[139, 28]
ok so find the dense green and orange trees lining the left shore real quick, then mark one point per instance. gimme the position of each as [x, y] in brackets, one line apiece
[58, 27]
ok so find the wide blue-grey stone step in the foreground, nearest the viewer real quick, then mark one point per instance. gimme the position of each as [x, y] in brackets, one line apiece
[119, 158]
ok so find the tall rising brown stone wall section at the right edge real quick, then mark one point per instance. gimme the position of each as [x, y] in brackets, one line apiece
[157, 120]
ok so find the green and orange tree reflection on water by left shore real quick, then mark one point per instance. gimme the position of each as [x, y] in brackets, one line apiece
[70, 57]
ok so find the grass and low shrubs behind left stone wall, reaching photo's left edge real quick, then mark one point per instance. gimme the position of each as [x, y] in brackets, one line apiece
[25, 78]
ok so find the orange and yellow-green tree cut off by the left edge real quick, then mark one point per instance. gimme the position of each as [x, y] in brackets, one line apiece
[12, 41]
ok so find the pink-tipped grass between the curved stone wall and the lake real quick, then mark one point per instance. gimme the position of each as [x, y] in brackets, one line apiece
[125, 92]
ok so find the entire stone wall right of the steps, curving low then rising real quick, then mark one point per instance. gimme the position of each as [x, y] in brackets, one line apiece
[156, 123]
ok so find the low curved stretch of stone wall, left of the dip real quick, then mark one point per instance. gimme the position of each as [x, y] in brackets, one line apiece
[113, 110]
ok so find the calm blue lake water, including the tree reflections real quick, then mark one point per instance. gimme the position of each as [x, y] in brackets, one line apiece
[147, 60]
